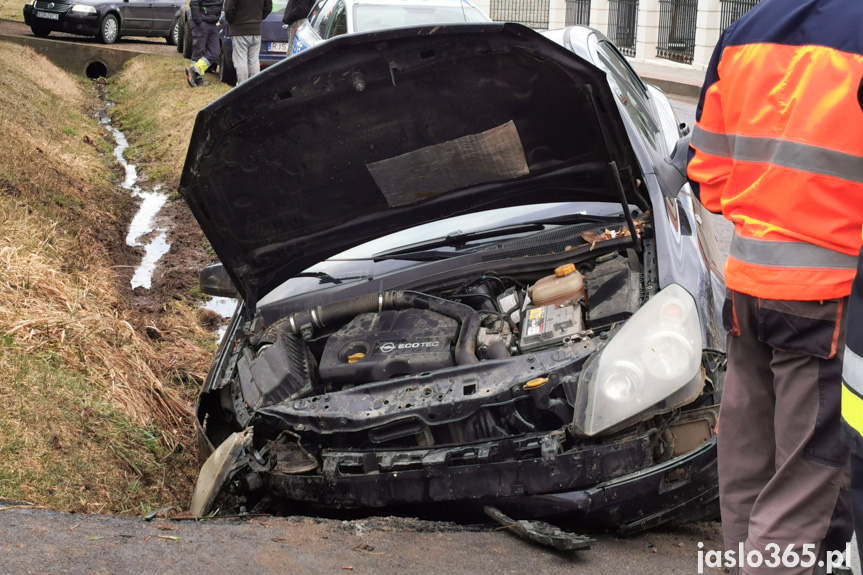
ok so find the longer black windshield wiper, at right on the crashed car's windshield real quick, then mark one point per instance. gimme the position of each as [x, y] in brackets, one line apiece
[425, 250]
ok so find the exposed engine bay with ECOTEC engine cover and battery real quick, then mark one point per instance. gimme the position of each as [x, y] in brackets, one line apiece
[407, 368]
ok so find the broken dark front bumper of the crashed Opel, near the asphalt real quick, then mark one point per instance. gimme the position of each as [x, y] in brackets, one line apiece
[611, 484]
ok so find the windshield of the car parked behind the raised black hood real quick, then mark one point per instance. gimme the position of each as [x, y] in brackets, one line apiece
[369, 17]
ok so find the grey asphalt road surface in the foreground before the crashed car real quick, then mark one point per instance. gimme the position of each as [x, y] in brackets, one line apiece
[49, 543]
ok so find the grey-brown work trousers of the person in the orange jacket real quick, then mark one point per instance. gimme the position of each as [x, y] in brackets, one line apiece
[783, 467]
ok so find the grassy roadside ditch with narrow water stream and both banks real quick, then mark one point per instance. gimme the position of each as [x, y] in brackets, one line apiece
[102, 336]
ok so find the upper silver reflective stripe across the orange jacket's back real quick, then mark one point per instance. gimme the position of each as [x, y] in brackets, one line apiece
[804, 157]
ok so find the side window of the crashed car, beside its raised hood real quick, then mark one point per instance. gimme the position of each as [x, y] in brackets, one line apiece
[629, 91]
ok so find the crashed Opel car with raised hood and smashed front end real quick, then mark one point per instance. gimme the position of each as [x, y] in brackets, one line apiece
[472, 271]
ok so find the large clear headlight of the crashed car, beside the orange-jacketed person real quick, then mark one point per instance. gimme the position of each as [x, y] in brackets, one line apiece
[655, 357]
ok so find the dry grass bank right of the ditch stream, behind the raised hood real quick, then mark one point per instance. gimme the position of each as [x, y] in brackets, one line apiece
[157, 110]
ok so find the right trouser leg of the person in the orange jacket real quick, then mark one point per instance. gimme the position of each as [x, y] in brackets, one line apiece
[797, 505]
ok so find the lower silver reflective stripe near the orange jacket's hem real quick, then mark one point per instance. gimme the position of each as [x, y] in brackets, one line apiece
[789, 254]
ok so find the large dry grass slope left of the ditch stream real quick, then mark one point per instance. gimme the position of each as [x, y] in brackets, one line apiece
[97, 416]
